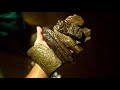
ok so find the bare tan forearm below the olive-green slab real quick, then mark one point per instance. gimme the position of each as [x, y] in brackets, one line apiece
[37, 72]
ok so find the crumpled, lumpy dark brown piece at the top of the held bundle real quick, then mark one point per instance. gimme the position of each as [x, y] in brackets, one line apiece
[71, 26]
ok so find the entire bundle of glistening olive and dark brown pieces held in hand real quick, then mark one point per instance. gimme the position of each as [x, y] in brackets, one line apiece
[64, 41]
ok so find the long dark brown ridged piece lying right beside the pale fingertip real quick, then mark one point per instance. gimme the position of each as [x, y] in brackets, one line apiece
[62, 52]
